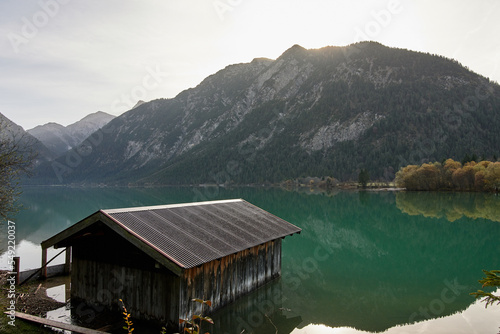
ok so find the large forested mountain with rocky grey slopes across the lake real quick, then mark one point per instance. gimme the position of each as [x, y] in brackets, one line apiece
[329, 111]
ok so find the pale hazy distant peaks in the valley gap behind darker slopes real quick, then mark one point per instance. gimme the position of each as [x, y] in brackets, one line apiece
[60, 139]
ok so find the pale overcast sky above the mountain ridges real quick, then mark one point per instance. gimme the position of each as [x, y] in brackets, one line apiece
[63, 59]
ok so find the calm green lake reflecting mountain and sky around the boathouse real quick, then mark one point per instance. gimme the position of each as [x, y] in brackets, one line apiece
[393, 262]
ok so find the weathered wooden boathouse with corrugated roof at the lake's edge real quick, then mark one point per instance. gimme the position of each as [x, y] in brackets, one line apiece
[158, 258]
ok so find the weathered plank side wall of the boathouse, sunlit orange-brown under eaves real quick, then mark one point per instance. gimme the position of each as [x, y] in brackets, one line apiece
[223, 281]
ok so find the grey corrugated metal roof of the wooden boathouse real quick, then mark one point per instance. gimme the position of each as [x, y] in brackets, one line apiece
[195, 233]
